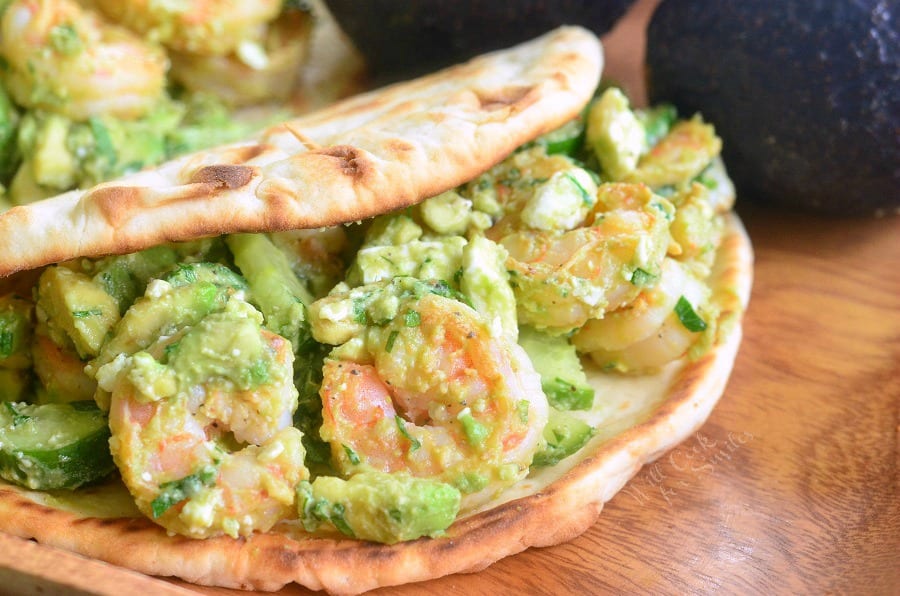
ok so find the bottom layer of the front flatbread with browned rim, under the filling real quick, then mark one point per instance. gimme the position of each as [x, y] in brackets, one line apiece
[638, 418]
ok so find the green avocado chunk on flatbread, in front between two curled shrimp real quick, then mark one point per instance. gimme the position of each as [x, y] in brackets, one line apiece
[378, 506]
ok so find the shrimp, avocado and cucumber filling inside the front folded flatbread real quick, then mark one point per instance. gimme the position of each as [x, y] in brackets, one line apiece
[378, 379]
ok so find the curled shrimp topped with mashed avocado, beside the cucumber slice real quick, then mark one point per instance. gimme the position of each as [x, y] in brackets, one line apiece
[204, 451]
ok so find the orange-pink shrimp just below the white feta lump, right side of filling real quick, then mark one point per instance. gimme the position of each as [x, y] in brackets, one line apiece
[564, 277]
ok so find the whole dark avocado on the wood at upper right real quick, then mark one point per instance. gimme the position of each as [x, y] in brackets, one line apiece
[805, 94]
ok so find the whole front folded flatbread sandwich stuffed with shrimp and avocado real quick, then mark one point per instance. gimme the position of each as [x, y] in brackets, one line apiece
[405, 336]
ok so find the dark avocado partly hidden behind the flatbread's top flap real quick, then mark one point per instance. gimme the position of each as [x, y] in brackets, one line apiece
[413, 37]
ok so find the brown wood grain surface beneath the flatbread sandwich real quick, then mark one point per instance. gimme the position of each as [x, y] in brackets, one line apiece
[790, 487]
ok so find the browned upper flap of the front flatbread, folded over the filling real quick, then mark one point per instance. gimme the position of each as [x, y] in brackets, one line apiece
[370, 154]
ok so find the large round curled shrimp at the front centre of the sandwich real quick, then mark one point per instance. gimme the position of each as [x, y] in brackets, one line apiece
[432, 392]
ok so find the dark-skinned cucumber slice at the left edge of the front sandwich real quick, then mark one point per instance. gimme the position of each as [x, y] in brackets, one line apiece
[50, 446]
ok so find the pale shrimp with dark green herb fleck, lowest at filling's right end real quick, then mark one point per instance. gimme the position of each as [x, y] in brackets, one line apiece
[649, 332]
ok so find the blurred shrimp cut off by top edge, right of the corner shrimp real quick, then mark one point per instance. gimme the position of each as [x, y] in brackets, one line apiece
[209, 27]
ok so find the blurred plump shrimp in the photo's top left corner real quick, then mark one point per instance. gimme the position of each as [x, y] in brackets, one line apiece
[65, 58]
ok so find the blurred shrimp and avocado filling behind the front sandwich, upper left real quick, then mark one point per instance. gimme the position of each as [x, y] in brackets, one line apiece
[94, 90]
